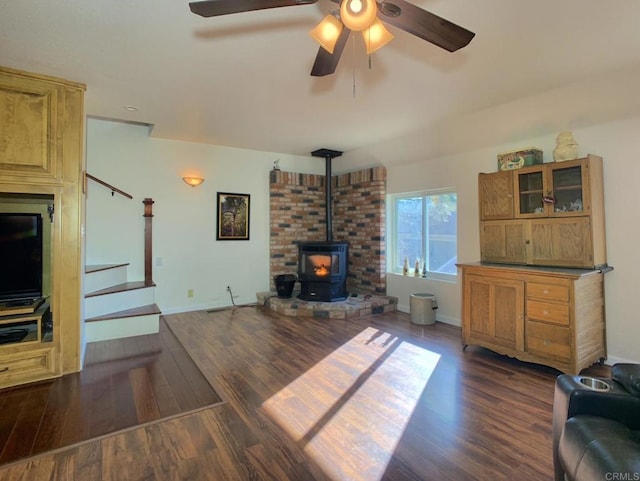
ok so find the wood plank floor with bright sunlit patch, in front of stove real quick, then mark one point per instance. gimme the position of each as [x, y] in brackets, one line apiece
[329, 400]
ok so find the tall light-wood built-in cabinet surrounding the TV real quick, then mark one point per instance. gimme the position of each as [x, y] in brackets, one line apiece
[41, 166]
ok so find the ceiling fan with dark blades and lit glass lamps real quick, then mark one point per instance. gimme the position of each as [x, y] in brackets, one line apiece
[355, 15]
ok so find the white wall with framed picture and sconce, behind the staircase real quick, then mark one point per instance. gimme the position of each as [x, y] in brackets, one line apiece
[186, 254]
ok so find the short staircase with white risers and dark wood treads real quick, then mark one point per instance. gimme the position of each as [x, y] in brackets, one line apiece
[114, 307]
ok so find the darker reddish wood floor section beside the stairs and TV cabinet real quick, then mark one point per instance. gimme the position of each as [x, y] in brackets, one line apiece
[125, 382]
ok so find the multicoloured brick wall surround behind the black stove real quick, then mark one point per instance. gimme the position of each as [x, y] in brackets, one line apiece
[298, 214]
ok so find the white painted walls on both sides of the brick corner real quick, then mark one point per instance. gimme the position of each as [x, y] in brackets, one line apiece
[603, 113]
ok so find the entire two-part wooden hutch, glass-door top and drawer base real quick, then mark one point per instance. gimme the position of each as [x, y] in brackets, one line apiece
[537, 293]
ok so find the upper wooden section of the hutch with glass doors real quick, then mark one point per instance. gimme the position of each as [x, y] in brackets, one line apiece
[555, 215]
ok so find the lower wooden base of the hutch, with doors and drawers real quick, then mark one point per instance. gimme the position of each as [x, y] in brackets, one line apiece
[546, 315]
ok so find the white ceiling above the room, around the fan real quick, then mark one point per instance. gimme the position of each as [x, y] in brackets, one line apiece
[243, 80]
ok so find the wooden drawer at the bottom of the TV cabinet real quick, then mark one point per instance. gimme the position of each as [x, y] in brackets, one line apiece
[26, 366]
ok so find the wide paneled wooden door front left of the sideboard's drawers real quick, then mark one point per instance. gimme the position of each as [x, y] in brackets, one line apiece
[493, 312]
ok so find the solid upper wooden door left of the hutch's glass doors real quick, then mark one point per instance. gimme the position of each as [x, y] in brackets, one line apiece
[496, 195]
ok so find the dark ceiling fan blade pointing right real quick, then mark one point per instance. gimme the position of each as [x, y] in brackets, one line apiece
[425, 25]
